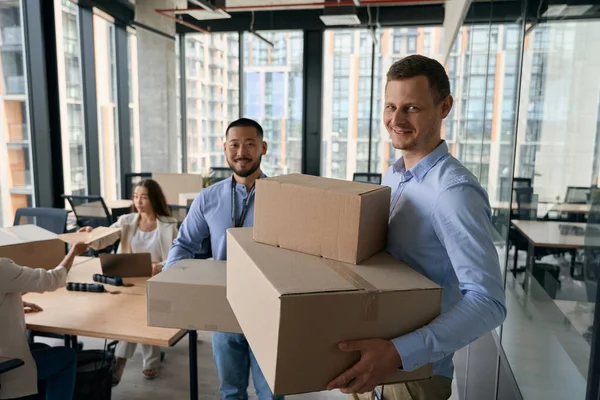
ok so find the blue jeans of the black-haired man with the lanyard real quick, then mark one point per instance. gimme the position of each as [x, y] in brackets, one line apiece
[234, 359]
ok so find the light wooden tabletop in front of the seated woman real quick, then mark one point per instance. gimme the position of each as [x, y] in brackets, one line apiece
[120, 316]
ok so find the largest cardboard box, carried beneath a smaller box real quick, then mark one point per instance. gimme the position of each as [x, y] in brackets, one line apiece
[296, 308]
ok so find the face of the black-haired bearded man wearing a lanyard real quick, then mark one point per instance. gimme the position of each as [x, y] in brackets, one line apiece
[244, 150]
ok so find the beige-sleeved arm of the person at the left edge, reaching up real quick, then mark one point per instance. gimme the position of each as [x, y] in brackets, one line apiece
[18, 279]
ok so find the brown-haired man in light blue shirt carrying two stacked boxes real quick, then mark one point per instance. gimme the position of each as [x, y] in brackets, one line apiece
[440, 225]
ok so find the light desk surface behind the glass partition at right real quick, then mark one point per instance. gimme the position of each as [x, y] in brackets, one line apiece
[547, 234]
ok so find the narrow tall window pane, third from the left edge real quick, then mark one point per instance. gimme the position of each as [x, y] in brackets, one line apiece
[106, 88]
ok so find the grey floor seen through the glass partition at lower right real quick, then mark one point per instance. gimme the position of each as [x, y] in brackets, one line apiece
[545, 339]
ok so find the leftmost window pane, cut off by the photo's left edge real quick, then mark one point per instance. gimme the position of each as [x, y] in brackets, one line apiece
[16, 177]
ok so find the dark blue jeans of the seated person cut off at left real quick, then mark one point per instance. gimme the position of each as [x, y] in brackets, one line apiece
[57, 369]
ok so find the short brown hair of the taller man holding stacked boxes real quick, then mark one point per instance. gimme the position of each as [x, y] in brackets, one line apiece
[418, 65]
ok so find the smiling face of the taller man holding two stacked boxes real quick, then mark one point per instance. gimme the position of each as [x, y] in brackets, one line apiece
[411, 117]
